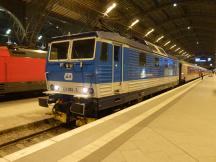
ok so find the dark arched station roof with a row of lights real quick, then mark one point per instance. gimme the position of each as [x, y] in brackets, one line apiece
[189, 25]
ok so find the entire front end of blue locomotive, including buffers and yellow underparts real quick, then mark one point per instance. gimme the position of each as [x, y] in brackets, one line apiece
[70, 75]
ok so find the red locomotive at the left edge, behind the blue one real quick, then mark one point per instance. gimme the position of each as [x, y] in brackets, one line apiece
[21, 70]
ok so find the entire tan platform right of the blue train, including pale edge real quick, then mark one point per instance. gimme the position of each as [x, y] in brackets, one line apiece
[176, 126]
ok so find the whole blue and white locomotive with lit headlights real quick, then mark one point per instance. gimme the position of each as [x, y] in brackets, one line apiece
[90, 72]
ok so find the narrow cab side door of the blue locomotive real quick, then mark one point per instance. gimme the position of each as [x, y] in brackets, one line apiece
[117, 68]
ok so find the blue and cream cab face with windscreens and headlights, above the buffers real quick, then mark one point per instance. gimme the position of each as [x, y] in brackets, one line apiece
[70, 67]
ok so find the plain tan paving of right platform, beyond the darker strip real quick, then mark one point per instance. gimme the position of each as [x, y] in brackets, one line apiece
[185, 132]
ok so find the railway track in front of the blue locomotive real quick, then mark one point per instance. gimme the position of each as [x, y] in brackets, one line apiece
[19, 138]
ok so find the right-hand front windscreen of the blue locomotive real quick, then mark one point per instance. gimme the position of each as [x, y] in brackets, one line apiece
[83, 49]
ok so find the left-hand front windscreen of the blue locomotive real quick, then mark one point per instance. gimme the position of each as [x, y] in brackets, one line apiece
[59, 51]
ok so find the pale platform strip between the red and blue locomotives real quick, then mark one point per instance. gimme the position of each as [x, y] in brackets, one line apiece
[20, 112]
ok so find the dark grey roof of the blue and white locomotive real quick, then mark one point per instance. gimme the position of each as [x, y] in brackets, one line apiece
[109, 36]
